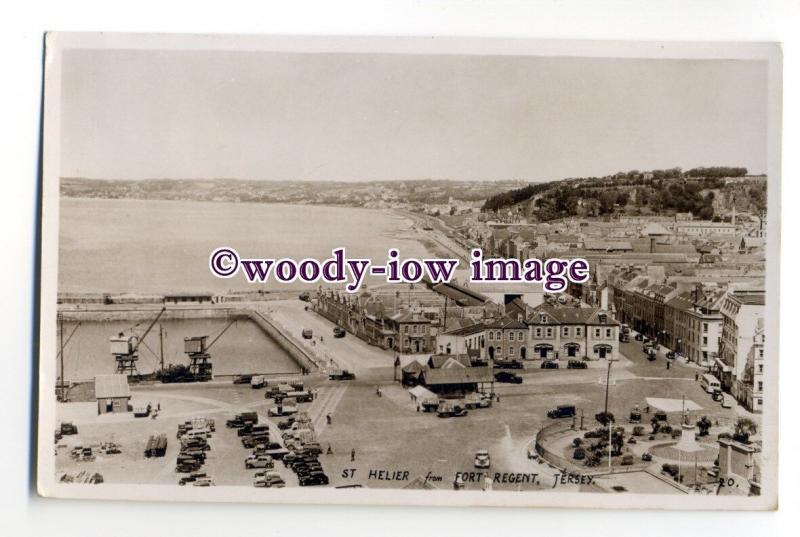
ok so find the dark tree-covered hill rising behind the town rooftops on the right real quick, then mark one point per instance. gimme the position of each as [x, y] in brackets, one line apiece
[705, 192]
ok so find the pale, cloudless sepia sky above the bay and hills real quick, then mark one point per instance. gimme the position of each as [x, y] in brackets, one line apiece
[136, 114]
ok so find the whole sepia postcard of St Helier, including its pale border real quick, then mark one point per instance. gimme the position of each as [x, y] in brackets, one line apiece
[414, 271]
